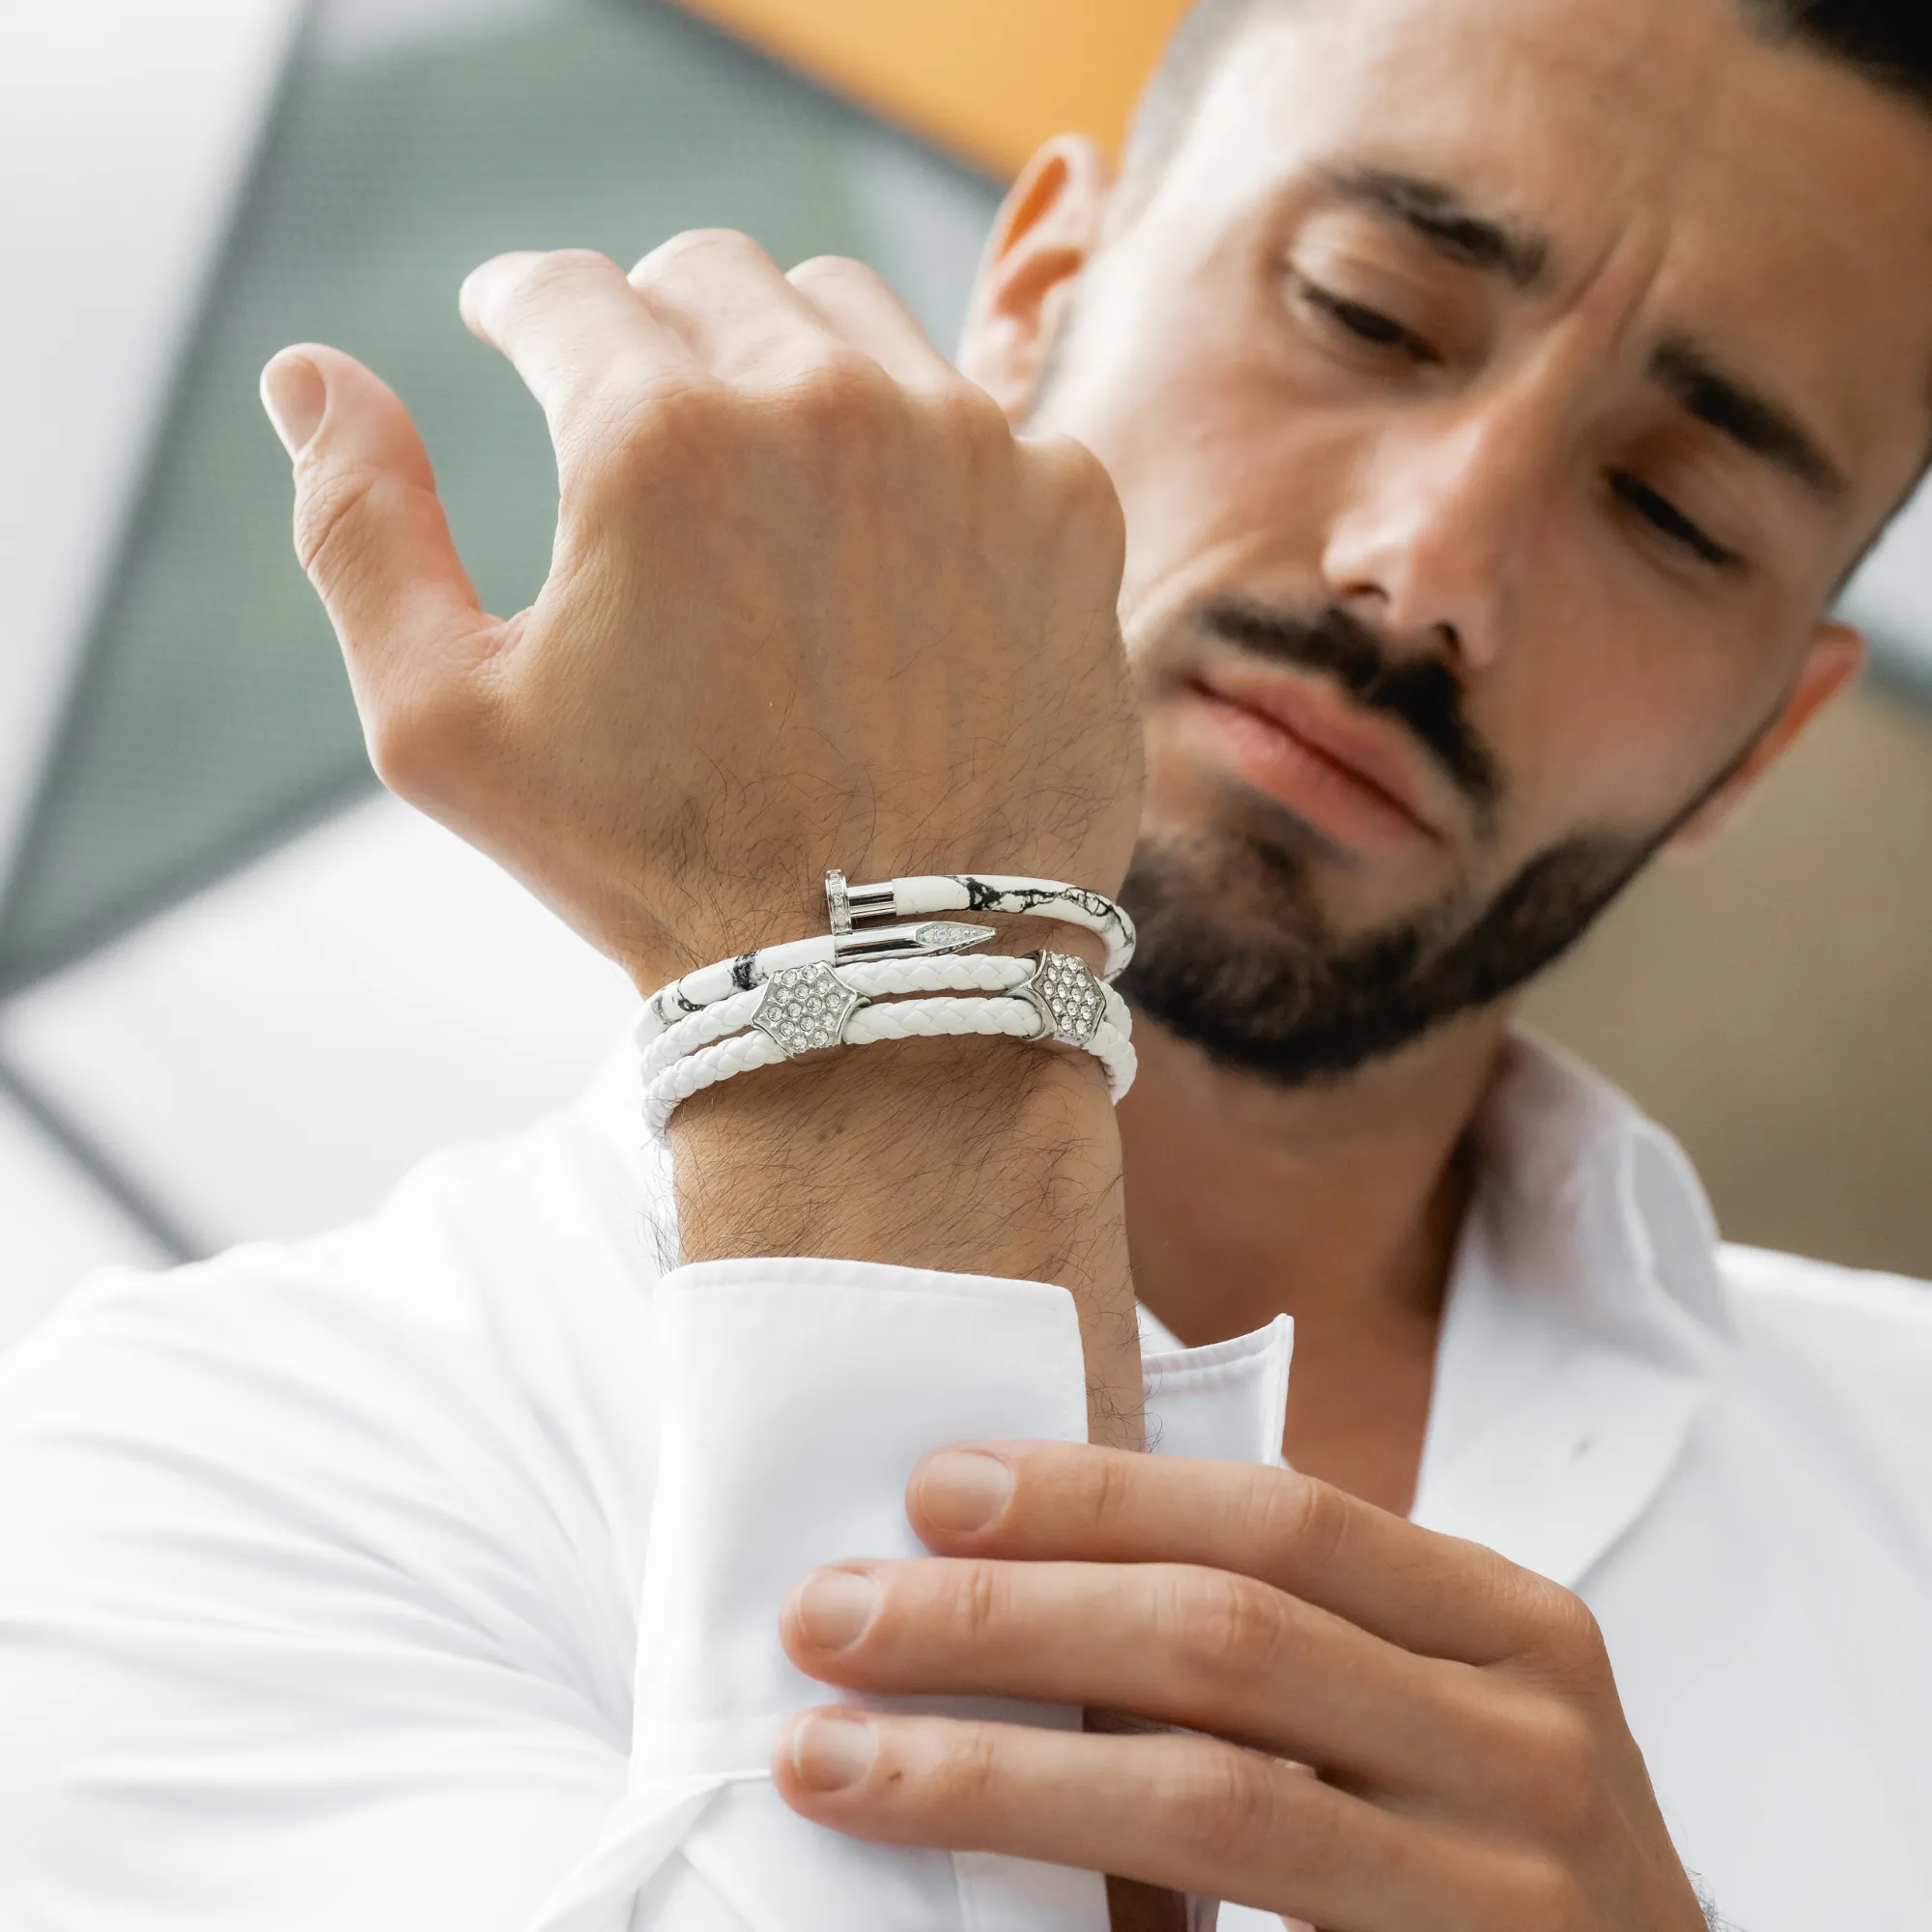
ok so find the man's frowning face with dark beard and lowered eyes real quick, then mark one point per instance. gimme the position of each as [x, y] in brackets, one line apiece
[1498, 391]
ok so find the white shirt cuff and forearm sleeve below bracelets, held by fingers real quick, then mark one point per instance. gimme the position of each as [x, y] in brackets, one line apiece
[797, 1398]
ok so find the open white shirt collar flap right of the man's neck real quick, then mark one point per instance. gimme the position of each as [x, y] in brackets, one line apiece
[1583, 1326]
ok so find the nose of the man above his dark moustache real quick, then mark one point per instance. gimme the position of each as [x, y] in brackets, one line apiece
[1433, 538]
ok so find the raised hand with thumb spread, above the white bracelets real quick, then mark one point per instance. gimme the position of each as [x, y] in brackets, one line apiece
[812, 604]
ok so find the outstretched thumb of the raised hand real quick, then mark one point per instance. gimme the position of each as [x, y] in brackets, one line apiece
[370, 530]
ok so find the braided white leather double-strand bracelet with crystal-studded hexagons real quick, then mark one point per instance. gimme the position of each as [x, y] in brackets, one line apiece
[805, 1009]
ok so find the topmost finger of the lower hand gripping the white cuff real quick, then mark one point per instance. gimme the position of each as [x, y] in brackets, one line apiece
[1433, 1595]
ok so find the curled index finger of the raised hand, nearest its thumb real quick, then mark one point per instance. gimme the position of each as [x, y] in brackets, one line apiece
[575, 331]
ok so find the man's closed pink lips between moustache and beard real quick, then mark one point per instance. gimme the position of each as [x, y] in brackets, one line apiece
[1357, 781]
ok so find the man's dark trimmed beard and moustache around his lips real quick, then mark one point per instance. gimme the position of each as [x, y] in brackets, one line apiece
[1236, 952]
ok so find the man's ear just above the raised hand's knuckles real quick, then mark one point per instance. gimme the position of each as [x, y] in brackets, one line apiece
[1046, 235]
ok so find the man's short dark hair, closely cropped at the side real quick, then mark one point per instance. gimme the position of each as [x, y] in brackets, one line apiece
[1890, 42]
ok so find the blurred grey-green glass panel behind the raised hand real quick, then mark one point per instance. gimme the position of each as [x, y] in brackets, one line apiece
[212, 716]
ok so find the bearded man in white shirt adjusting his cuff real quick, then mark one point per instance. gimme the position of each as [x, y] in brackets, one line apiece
[1498, 393]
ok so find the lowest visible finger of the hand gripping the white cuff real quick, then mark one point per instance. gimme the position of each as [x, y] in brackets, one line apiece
[1187, 1813]
